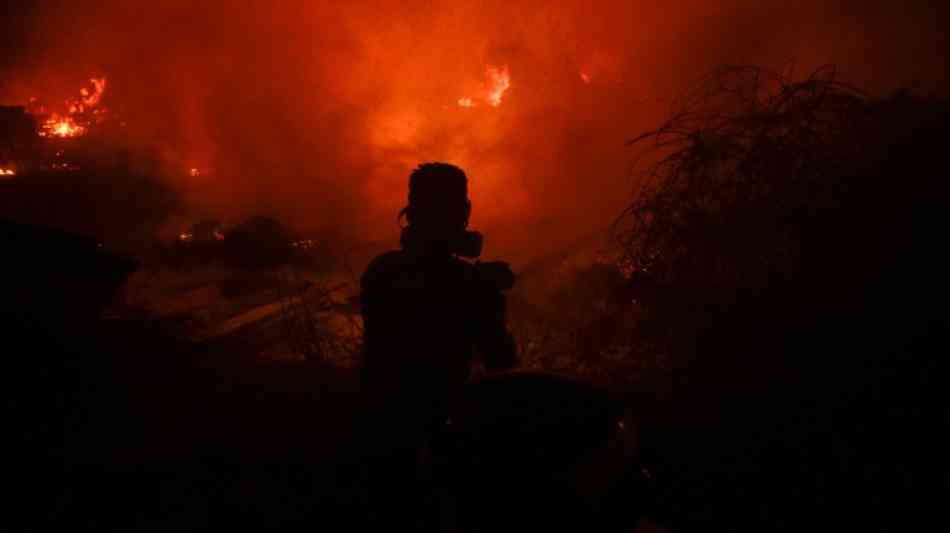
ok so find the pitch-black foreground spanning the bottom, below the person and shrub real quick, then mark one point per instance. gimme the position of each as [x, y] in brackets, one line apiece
[119, 426]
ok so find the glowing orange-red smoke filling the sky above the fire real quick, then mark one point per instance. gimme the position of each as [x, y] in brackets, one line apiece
[317, 111]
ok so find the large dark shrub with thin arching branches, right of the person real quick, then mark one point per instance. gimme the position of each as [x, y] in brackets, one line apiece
[781, 201]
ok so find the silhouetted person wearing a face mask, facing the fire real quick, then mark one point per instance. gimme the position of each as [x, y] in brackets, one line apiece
[428, 312]
